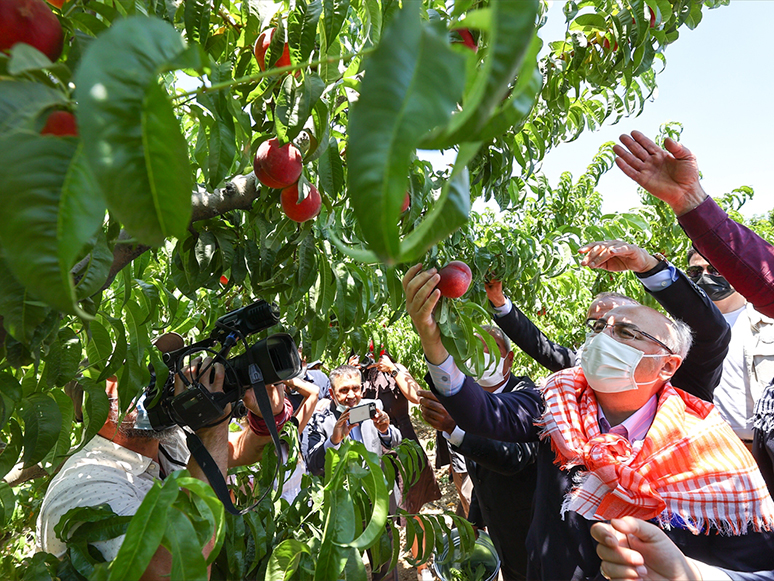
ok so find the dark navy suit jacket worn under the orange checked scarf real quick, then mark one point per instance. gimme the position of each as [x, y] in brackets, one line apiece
[563, 548]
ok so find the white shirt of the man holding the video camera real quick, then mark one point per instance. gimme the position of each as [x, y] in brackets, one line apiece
[103, 472]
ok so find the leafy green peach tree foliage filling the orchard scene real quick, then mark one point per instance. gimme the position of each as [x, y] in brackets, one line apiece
[148, 218]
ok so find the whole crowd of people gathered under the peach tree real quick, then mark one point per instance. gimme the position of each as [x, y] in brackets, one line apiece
[647, 453]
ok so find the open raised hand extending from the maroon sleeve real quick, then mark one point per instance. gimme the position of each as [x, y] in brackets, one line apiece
[670, 174]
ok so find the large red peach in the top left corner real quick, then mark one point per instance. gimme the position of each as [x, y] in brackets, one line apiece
[33, 23]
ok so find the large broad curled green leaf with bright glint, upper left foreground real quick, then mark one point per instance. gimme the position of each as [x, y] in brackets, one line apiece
[132, 138]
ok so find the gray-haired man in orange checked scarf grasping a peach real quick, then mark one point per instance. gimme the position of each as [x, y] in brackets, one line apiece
[614, 438]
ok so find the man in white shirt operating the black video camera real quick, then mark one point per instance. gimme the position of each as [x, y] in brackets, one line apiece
[120, 464]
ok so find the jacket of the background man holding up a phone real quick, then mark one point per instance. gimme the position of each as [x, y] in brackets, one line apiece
[320, 428]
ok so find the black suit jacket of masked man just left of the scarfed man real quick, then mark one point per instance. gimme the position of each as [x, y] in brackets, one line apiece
[504, 476]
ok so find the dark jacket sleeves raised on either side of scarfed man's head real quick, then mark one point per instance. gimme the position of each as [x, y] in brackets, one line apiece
[700, 372]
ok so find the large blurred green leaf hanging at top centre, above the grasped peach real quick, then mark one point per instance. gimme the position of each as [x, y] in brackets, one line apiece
[412, 84]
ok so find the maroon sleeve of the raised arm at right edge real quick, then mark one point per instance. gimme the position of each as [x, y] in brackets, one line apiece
[739, 254]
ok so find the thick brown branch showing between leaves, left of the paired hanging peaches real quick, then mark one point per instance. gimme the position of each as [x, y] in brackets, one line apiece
[238, 194]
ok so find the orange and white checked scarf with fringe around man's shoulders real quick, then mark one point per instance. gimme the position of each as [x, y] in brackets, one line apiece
[691, 467]
